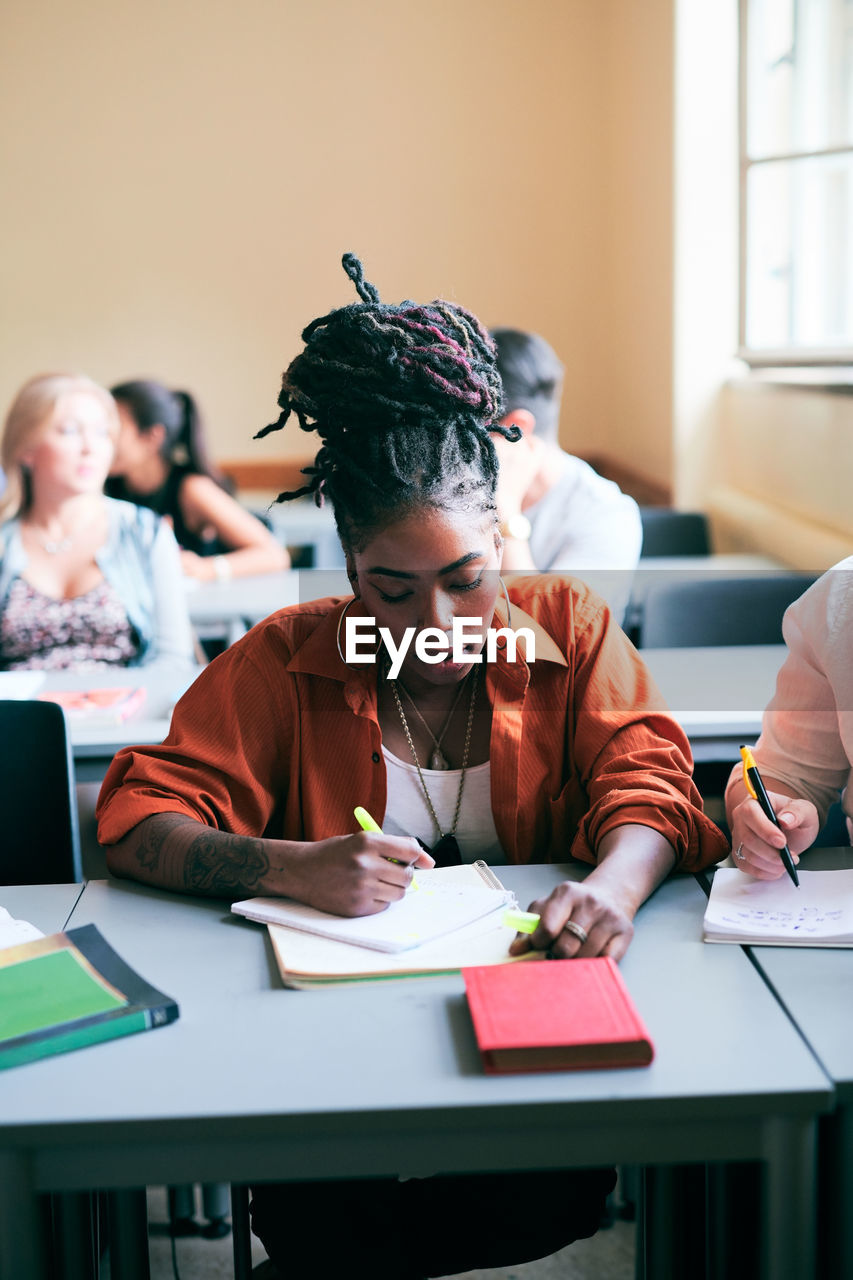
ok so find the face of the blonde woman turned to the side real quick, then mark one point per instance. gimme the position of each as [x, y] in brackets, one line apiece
[75, 449]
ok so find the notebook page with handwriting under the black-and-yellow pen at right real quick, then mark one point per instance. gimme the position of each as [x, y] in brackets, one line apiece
[777, 913]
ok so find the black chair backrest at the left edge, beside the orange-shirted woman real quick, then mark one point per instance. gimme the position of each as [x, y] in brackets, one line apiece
[39, 830]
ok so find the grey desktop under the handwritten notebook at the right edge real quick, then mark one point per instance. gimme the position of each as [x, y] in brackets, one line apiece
[815, 985]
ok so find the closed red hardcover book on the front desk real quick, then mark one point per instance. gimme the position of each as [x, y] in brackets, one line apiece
[556, 1016]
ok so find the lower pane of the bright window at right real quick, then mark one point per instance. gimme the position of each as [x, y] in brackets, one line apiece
[800, 275]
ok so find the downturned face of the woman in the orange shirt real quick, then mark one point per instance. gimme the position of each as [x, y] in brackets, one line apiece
[425, 572]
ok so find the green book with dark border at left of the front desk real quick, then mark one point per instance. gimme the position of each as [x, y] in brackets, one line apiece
[71, 990]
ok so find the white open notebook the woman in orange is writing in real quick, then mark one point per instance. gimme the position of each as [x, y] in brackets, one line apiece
[439, 903]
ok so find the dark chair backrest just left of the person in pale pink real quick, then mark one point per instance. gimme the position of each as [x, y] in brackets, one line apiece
[719, 611]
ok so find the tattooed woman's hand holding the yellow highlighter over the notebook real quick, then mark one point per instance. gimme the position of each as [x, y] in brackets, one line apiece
[358, 875]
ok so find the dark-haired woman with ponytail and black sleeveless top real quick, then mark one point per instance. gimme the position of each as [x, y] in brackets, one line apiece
[162, 463]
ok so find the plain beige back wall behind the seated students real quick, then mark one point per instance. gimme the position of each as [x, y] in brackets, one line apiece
[185, 177]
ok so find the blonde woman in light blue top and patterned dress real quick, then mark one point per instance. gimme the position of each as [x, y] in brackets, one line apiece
[85, 582]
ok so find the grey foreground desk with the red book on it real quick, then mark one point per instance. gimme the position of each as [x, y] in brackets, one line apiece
[256, 1082]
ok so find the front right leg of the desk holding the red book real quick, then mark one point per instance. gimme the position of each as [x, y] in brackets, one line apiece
[788, 1245]
